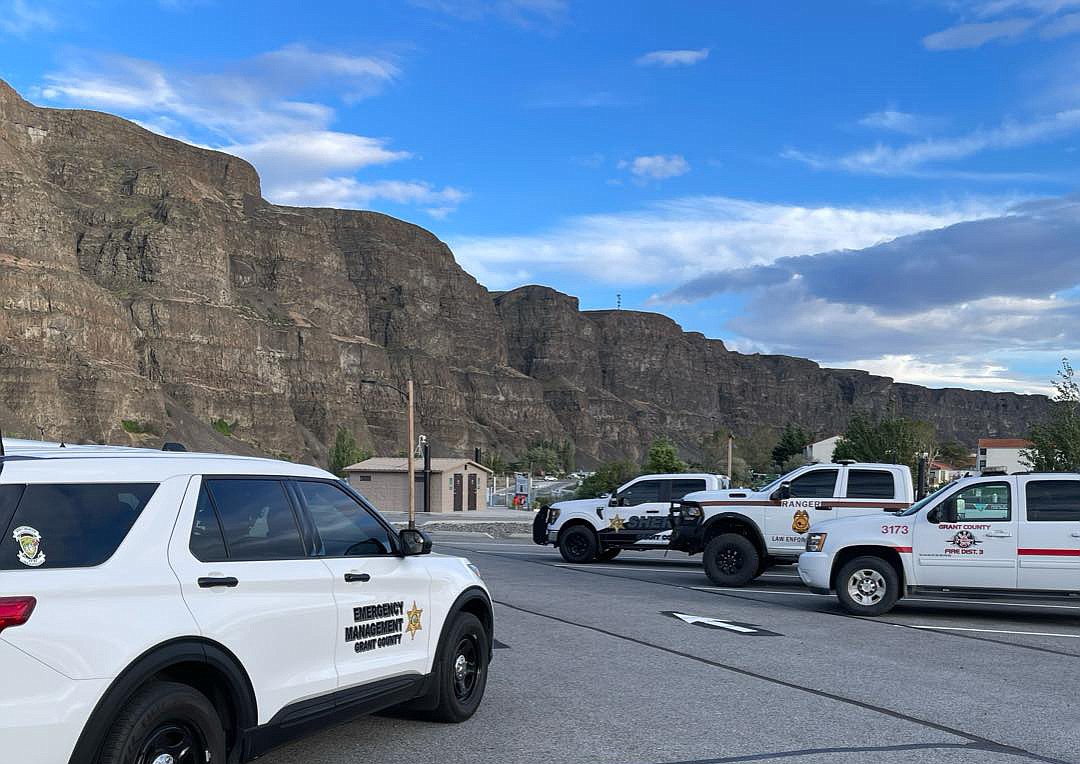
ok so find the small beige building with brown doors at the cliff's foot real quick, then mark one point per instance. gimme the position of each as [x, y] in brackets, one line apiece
[457, 486]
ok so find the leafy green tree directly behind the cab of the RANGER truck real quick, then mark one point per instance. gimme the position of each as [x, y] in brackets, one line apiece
[892, 440]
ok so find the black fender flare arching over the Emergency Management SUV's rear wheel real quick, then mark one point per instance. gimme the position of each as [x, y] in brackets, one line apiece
[154, 662]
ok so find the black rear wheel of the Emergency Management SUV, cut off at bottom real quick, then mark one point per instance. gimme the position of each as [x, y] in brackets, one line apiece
[166, 718]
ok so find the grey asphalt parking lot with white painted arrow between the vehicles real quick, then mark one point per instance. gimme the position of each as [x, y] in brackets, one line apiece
[593, 668]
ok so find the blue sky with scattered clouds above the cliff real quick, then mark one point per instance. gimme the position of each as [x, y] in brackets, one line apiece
[880, 184]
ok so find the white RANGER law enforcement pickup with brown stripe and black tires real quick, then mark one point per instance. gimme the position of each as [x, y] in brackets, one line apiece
[742, 533]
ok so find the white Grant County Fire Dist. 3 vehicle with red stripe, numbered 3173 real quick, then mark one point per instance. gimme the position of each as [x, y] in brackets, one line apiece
[993, 532]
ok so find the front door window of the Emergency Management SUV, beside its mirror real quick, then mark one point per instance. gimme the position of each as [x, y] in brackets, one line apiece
[345, 528]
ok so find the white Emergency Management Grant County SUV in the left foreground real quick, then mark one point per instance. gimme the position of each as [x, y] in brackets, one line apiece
[181, 609]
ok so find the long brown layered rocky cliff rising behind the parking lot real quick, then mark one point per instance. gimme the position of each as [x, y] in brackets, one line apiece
[150, 292]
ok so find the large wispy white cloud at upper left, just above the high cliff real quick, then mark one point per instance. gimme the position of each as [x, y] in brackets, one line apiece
[258, 110]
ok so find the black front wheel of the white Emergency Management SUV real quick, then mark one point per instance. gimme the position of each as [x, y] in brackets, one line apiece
[464, 665]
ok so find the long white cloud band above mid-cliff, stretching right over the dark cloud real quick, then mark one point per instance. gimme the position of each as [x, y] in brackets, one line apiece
[678, 240]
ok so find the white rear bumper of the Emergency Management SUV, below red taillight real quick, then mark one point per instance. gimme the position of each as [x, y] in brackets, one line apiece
[43, 709]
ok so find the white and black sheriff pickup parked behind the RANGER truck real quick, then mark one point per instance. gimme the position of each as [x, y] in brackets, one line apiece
[636, 517]
